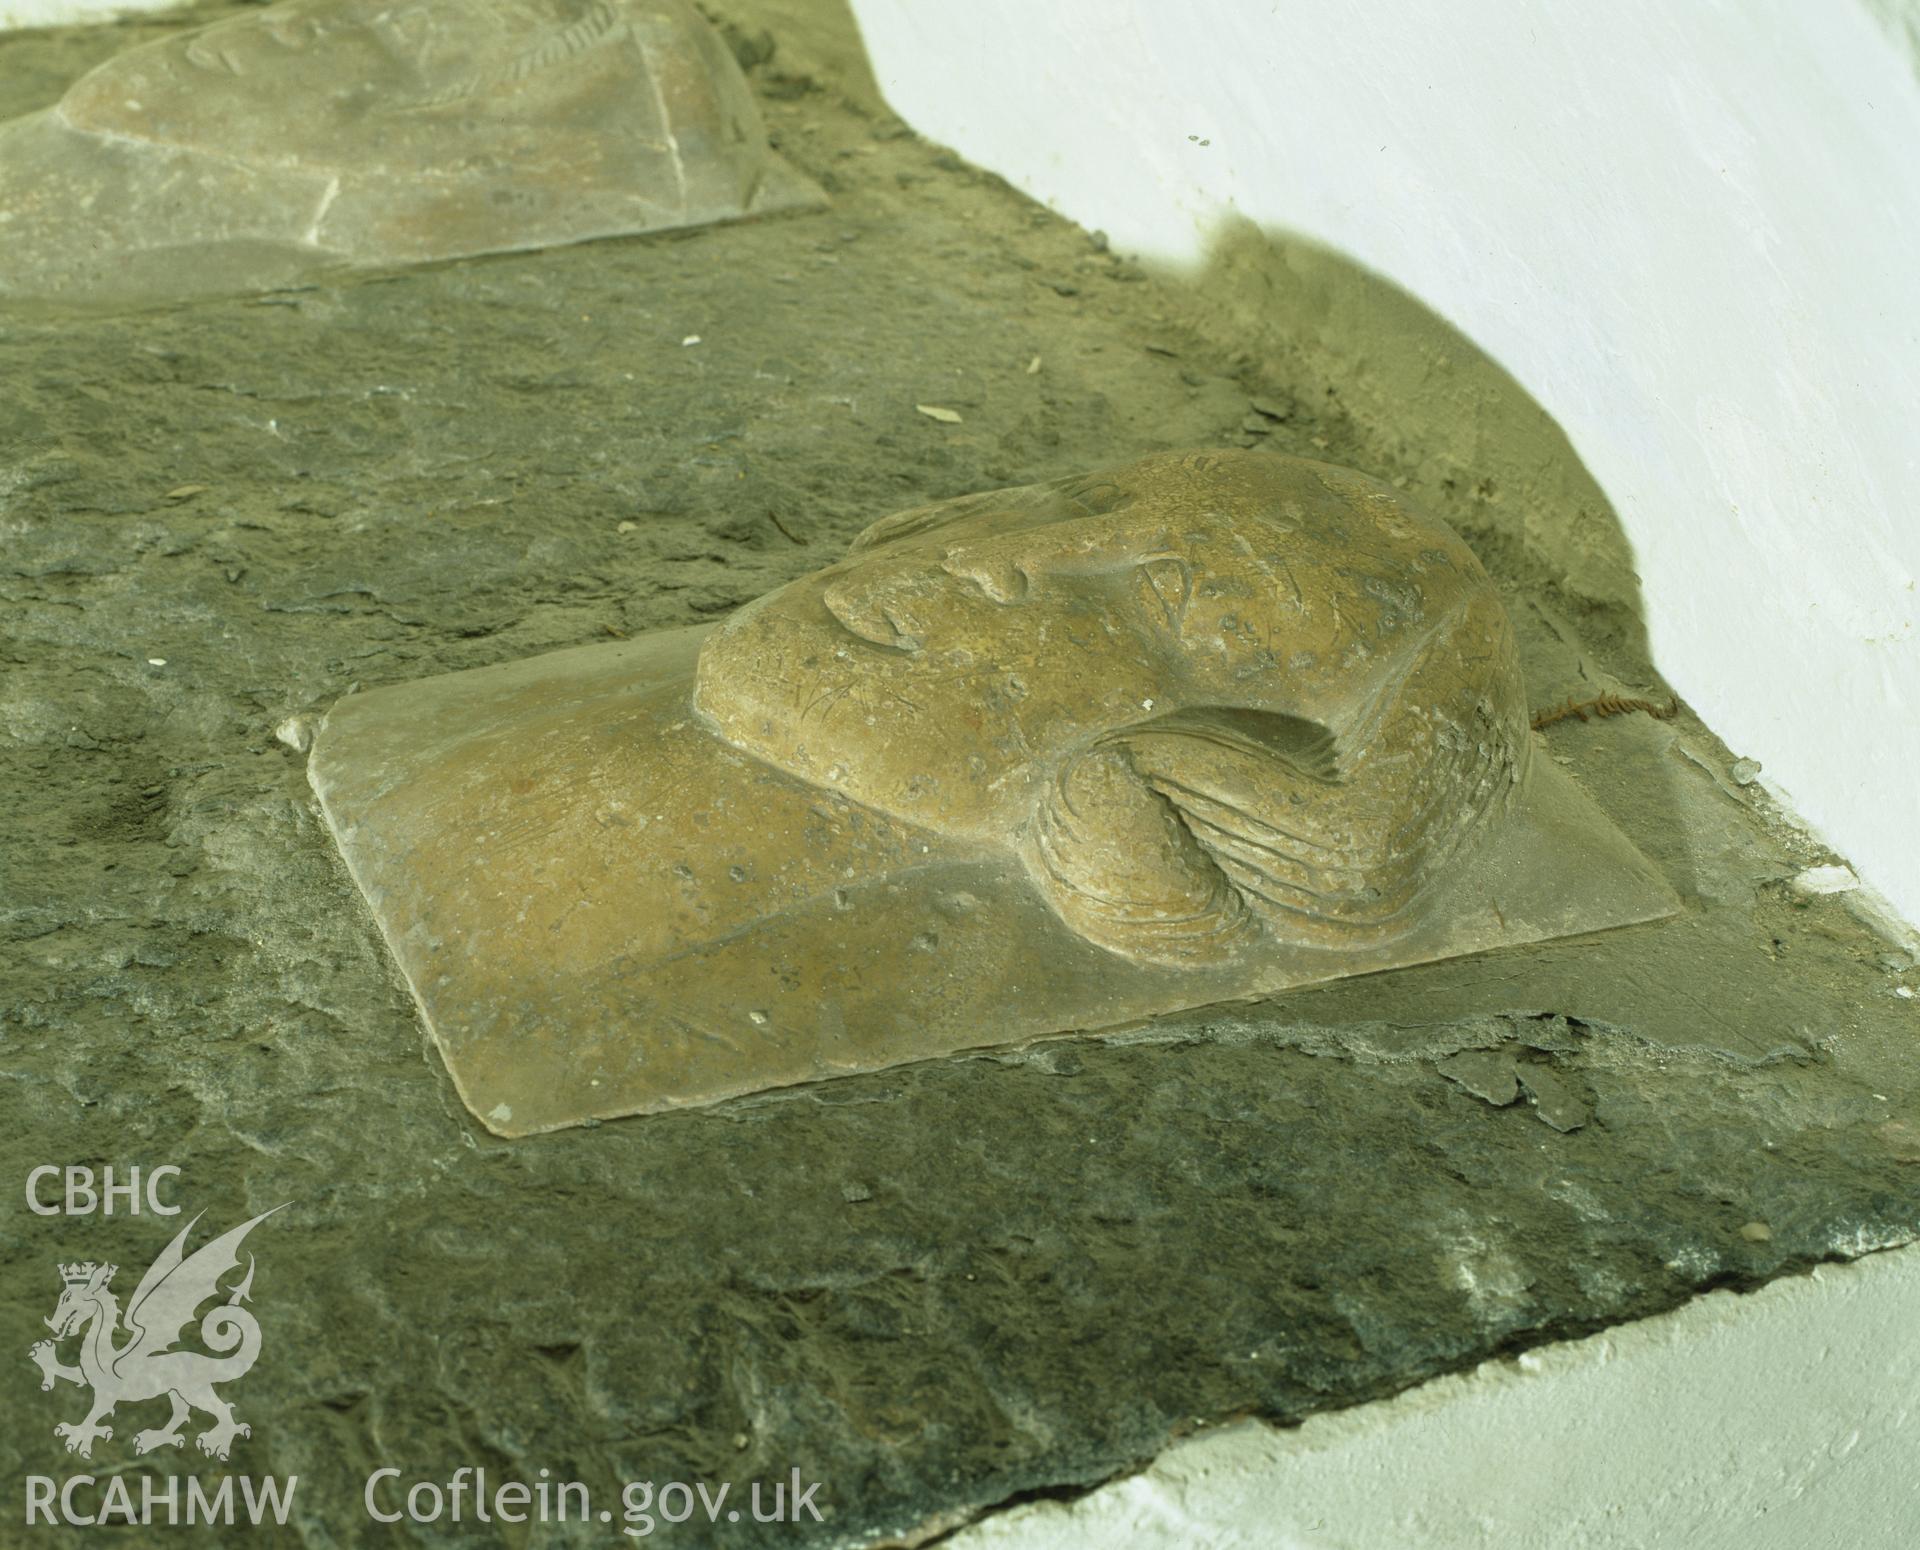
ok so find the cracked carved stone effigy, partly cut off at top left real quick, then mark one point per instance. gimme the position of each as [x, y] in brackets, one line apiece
[372, 133]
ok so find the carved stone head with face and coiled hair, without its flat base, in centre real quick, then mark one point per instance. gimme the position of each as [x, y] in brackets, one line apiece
[1216, 698]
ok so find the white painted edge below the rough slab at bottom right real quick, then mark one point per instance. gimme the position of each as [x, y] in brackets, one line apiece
[1777, 1420]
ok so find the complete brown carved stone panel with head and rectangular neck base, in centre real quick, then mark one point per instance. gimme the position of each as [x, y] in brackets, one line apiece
[1047, 760]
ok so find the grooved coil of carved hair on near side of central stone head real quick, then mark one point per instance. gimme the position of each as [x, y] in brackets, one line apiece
[1188, 836]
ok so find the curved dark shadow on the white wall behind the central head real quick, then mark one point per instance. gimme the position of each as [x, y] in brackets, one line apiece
[1380, 381]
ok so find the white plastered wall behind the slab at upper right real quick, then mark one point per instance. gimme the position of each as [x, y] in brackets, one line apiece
[1692, 233]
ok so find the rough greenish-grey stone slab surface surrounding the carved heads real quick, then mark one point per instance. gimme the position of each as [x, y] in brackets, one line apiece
[932, 1288]
